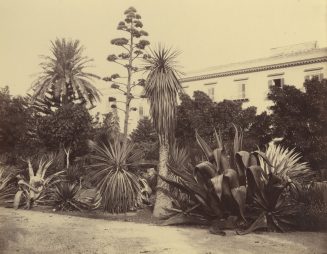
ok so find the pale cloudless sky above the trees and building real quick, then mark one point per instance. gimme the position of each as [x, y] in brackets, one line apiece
[208, 32]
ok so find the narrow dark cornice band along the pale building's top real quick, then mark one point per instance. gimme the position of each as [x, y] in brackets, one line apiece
[255, 69]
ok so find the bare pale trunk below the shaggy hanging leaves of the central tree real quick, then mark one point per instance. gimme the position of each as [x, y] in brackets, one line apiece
[162, 200]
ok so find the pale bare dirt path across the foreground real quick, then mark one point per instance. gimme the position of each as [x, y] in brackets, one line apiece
[36, 232]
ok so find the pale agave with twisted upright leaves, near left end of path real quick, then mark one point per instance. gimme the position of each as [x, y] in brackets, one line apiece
[33, 190]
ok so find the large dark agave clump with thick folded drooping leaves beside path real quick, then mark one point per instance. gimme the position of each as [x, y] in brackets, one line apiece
[228, 185]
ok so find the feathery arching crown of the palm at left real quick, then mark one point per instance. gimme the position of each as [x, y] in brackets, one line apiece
[63, 77]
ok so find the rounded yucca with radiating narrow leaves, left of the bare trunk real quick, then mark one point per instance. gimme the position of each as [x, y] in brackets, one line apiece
[118, 187]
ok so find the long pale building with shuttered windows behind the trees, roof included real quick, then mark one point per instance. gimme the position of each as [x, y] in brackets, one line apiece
[249, 81]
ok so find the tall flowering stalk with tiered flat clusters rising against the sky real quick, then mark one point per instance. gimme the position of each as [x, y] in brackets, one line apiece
[133, 49]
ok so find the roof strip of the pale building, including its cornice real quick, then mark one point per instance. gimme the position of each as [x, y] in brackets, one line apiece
[280, 57]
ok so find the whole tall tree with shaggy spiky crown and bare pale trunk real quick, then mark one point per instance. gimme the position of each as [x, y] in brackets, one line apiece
[162, 88]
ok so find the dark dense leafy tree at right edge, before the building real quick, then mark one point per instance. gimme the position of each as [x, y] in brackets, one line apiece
[300, 119]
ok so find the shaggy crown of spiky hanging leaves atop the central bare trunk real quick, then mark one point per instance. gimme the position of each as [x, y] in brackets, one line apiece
[161, 88]
